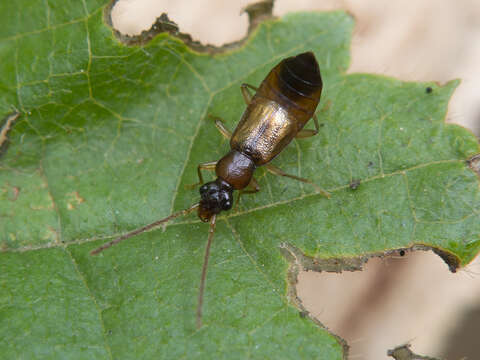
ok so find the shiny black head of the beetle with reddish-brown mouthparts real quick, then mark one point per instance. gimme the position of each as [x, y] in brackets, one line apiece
[216, 196]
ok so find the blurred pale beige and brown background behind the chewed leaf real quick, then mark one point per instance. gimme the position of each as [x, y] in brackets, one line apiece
[395, 300]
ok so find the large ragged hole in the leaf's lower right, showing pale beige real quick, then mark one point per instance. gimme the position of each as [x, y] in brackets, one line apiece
[409, 297]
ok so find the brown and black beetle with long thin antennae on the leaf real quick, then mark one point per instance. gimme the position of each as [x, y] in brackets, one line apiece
[285, 101]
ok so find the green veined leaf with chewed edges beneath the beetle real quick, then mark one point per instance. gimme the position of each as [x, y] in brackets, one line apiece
[109, 136]
